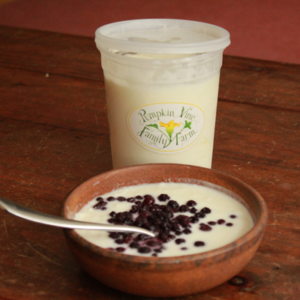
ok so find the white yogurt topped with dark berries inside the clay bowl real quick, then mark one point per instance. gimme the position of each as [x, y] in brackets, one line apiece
[187, 219]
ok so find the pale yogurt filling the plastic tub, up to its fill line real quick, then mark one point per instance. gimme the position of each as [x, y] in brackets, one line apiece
[132, 108]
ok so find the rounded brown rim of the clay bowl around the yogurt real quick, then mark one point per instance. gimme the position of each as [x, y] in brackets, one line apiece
[253, 234]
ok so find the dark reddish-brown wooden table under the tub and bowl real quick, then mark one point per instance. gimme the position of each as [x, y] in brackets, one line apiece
[54, 135]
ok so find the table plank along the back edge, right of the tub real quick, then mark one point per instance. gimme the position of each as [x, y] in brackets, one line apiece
[260, 83]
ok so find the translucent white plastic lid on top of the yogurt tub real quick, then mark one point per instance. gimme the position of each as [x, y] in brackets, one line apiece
[162, 36]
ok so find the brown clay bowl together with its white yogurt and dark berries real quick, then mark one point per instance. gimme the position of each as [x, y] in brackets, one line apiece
[161, 272]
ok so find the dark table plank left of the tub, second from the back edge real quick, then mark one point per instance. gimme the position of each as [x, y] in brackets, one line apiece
[57, 100]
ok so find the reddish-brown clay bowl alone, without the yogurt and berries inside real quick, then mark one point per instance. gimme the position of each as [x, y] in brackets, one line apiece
[170, 276]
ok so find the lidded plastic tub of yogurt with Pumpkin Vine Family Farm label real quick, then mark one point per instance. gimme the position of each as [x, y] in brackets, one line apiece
[161, 82]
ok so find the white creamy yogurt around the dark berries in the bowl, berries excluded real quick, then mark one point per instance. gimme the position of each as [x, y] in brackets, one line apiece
[227, 220]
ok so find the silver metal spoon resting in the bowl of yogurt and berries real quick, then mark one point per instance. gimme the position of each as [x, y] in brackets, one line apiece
[35, 216]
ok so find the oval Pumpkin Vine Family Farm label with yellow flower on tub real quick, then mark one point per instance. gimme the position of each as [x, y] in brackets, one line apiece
[166, 127]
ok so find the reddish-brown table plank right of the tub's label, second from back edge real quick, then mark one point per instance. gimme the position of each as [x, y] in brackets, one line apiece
[254, 134]
